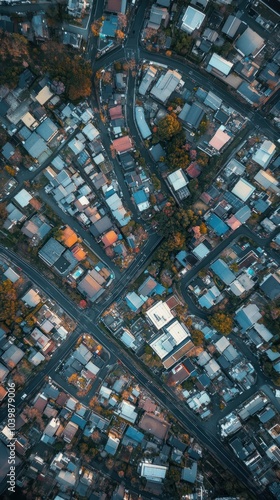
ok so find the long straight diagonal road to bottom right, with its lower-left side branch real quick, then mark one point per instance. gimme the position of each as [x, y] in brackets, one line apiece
[87, 321]
